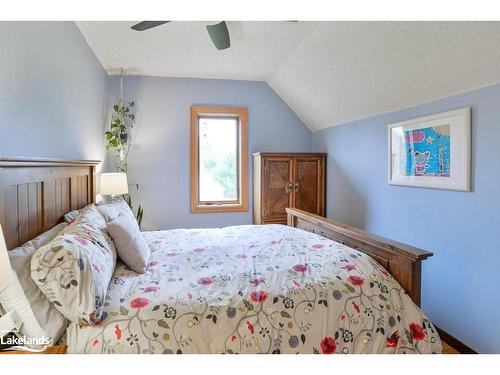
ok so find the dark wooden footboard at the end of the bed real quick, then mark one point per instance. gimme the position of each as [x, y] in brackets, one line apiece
[404, 262]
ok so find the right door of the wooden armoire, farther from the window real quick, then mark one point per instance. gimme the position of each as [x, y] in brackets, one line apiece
[309, 184]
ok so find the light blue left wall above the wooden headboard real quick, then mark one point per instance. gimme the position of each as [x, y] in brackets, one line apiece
[52, 92]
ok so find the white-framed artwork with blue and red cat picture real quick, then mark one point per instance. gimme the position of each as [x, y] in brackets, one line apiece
[432, 151]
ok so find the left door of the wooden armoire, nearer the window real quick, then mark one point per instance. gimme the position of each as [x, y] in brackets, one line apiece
[276, 188]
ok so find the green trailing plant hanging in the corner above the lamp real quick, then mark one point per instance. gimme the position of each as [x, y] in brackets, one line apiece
[119, 141]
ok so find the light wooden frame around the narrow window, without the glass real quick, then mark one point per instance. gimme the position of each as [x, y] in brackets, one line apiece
[242, 115]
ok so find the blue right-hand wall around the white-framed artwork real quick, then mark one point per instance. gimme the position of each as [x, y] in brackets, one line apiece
[461, 281]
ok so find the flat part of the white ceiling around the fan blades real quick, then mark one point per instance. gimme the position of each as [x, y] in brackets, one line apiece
[184, 49]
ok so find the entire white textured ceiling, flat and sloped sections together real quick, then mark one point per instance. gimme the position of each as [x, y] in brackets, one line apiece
[329, 73]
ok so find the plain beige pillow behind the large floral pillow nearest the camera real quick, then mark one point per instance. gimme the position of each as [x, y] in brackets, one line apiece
[50, 319]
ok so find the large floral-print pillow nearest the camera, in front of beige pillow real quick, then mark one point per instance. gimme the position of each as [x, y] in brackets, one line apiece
[75, 268]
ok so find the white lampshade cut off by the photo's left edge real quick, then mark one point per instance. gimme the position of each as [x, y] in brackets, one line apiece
[18, 316]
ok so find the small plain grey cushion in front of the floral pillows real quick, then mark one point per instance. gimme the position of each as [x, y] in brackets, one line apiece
[130, 244]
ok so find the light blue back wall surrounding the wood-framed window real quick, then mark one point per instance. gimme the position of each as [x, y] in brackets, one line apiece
[159, 159]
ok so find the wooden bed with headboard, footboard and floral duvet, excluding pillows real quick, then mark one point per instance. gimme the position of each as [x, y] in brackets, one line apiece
[314, 286]
